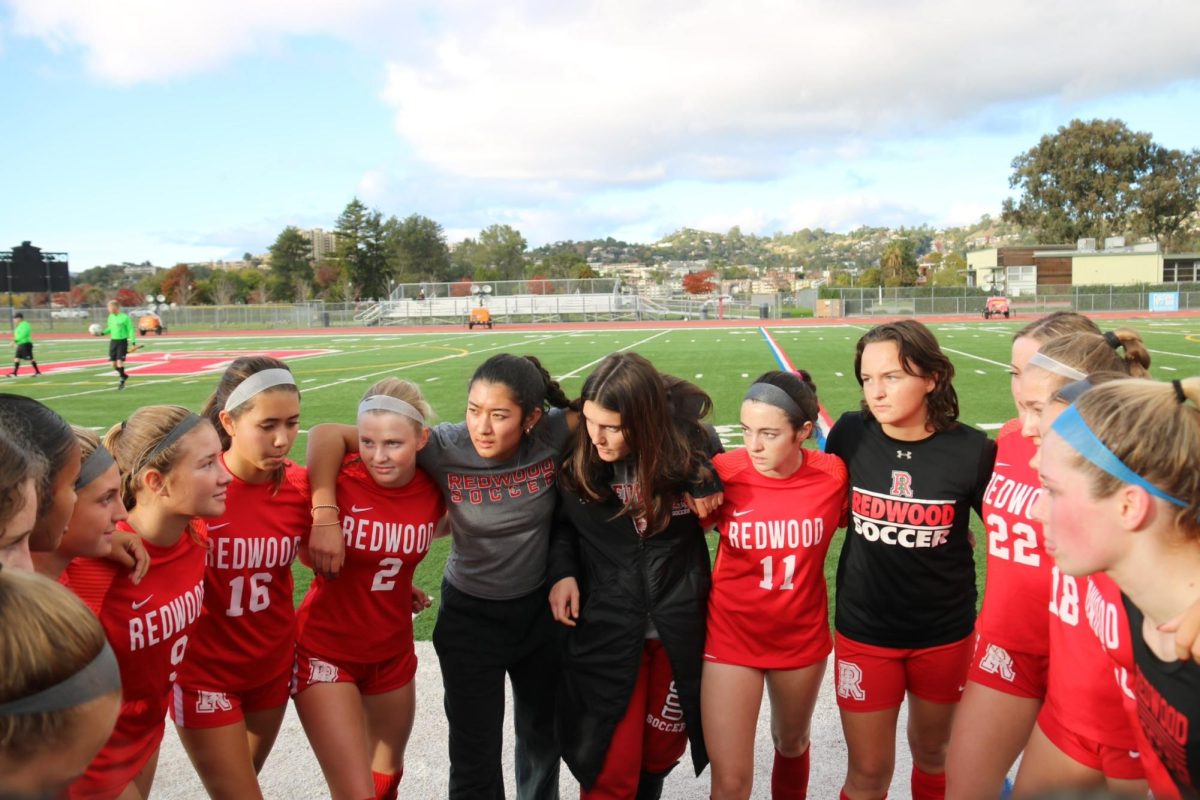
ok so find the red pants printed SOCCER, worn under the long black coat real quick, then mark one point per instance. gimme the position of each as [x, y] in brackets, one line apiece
[651, 737]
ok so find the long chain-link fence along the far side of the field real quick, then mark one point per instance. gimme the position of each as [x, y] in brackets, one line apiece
[599, 300]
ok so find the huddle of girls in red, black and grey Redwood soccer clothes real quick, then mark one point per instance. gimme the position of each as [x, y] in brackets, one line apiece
[579, 569]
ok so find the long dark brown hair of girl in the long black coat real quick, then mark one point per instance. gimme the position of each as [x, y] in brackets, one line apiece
[661, 420]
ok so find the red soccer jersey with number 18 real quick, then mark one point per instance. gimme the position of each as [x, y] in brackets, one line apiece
[1083, 690]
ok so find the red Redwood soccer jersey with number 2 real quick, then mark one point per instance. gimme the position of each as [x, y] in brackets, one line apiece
[367, 613]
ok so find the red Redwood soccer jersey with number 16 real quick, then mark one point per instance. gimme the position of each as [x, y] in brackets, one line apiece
[248, 630]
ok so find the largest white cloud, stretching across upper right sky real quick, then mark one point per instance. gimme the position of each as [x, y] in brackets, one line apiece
[634, 93]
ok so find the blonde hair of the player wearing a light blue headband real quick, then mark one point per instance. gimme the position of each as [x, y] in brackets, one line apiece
[1154, 434]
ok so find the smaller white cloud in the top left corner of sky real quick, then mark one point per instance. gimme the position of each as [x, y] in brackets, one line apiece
[135, 41]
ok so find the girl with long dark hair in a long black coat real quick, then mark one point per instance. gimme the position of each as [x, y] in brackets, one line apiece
[631, 576]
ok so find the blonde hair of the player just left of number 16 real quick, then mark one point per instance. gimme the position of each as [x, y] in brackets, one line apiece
[133, 444]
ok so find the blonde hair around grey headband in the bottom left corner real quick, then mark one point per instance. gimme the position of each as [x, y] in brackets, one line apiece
[49, 635]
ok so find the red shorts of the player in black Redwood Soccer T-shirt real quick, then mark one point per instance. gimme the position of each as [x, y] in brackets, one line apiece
[871, 678]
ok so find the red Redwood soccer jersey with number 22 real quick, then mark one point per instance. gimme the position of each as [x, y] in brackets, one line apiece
[1018, 591]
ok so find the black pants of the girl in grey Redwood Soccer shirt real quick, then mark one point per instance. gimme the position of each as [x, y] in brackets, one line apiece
[478, 641]
